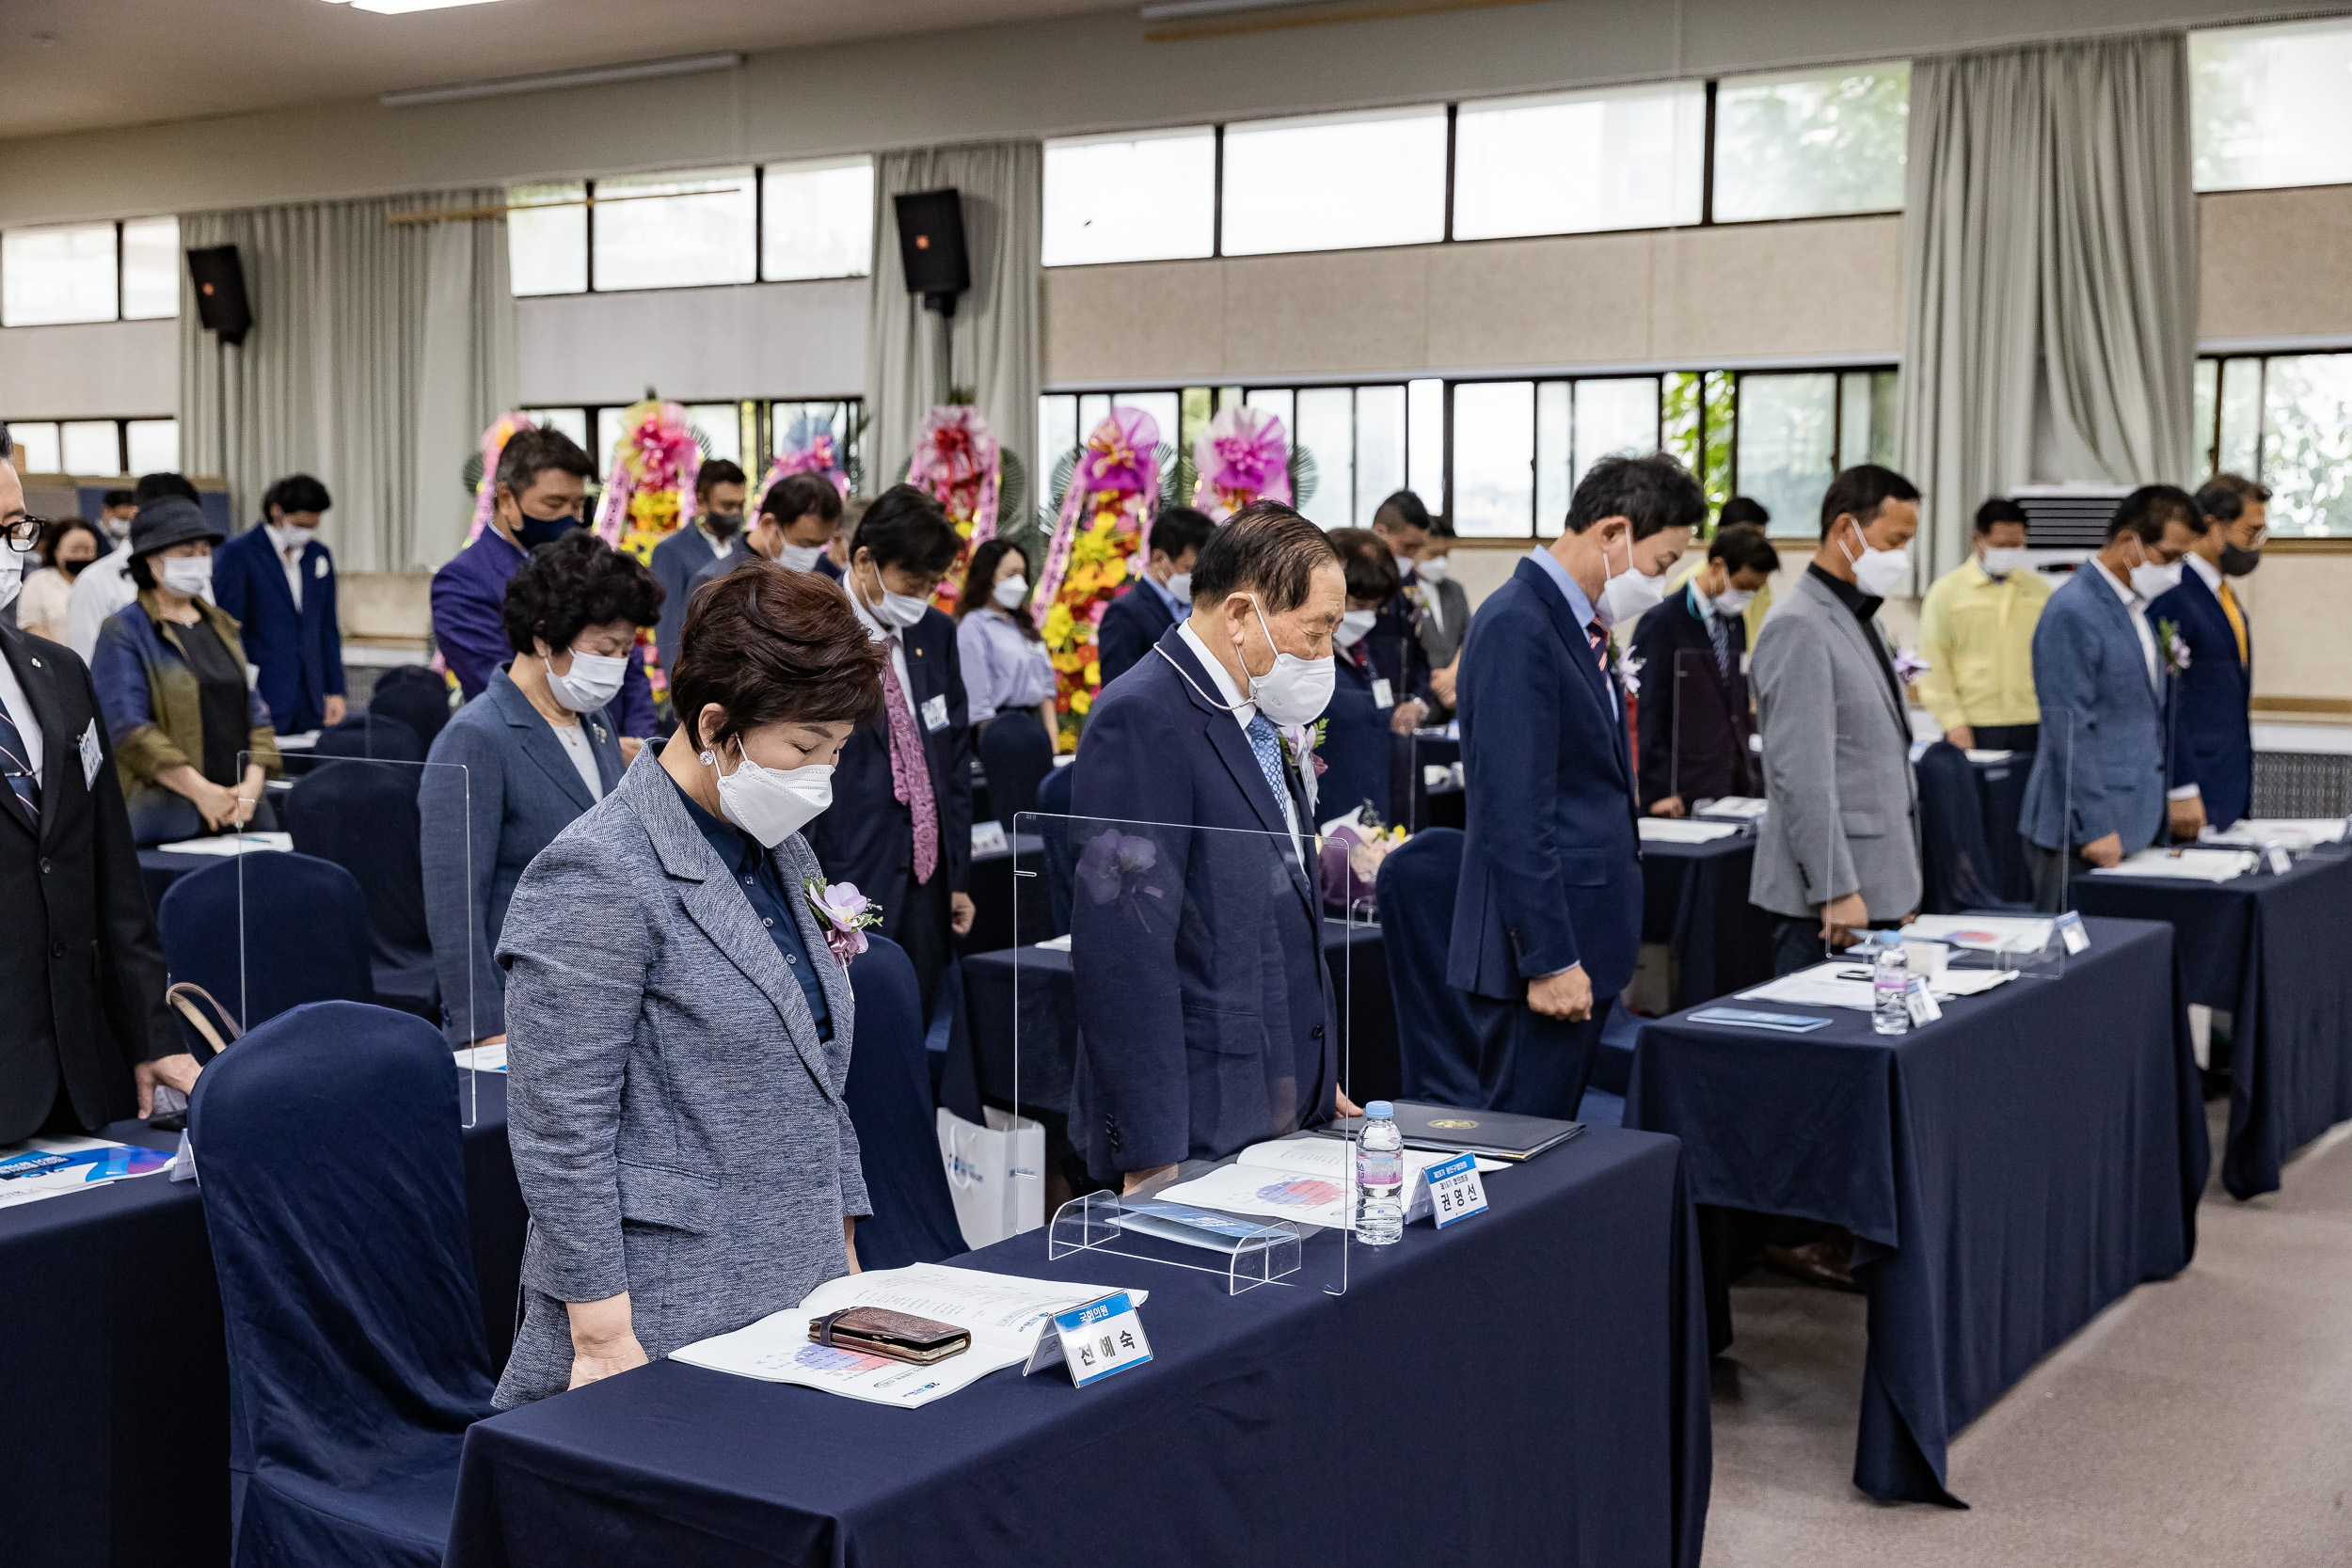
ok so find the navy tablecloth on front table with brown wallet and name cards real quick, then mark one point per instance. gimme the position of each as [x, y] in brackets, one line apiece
[1528, 1388]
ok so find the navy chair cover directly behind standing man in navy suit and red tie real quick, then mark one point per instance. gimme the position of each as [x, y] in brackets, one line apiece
[1436, 1038]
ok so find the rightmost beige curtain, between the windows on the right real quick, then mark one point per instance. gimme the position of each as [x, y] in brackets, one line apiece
[2050, 257]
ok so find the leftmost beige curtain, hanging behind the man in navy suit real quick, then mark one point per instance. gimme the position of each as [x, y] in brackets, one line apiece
[380, 354]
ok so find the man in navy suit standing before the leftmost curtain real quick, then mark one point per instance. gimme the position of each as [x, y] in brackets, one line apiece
[279, 584]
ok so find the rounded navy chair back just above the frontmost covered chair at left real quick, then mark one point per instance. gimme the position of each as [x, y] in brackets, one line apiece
[302, 939]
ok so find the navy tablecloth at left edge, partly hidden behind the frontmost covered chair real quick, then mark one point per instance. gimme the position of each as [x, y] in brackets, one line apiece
[114, 1372]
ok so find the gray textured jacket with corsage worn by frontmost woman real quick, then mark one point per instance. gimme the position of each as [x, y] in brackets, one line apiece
[679, 1127]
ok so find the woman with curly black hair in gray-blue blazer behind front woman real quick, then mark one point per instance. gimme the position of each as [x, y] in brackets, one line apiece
[523, 760]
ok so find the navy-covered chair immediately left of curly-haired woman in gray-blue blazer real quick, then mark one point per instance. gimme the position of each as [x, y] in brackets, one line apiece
[363, 817]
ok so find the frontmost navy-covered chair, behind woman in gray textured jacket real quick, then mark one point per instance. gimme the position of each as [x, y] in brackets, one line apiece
[335, 1198]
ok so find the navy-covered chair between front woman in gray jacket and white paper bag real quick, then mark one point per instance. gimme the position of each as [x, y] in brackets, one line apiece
[890, 1104]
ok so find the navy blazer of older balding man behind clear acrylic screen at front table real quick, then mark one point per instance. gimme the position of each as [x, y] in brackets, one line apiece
[1203, 996]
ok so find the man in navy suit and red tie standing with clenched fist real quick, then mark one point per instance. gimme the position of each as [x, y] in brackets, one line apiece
[1549, 911]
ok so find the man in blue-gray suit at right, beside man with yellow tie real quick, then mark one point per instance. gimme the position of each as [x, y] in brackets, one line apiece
[2097, 791]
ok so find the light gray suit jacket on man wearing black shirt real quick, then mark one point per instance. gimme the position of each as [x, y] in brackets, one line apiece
[1845, 805]
